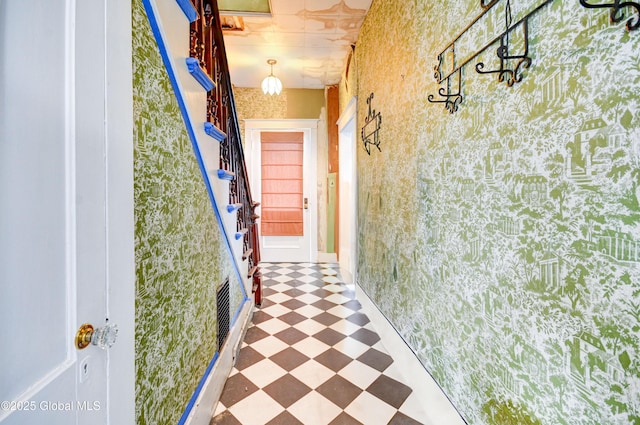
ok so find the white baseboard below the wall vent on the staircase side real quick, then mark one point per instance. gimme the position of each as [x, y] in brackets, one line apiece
[205, 404]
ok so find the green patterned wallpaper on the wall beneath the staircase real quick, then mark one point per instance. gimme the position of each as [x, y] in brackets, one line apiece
[181, 257]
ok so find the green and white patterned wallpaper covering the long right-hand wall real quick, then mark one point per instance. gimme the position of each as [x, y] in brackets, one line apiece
[503, 241]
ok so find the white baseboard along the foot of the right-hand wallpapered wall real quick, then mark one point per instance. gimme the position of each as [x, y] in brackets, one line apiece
[437, 407]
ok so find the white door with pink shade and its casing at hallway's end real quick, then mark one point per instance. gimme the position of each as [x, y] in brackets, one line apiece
[282, 162]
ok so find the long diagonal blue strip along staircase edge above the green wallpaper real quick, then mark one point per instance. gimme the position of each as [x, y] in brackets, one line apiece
[192, 136]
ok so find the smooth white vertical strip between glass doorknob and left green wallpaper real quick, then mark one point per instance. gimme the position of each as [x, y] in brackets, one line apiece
[120, 209]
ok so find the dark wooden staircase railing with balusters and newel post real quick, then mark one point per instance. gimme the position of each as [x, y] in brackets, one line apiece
[207, 46]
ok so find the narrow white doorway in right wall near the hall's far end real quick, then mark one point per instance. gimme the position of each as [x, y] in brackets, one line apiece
[348, 192]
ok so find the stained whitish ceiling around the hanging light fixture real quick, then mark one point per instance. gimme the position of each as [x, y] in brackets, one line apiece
[310, 39]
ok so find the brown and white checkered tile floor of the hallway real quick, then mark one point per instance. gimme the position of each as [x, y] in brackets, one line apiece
[311, 357]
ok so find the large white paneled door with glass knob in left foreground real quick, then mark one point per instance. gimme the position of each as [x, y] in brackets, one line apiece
[66, 216]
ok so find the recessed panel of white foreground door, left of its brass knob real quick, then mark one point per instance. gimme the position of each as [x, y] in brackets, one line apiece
[37, 239]
